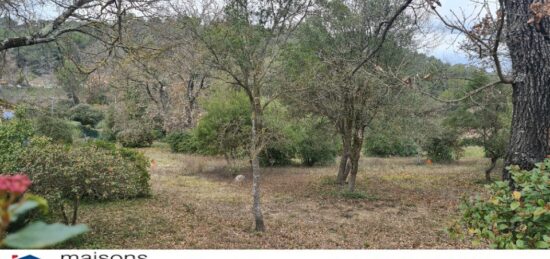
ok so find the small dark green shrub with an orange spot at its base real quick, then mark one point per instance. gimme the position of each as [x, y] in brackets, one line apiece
[443, 149]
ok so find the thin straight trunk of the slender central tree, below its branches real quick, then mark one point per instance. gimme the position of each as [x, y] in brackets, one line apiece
[255, 151]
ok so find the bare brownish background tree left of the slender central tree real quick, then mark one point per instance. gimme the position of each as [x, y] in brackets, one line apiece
[159, 57]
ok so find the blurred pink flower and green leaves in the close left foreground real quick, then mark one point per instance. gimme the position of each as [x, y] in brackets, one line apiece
[15, 205]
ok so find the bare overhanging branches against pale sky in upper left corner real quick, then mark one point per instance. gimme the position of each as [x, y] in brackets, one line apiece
[97, 18]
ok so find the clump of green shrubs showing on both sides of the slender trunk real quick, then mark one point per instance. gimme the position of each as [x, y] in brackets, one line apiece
[225, 129]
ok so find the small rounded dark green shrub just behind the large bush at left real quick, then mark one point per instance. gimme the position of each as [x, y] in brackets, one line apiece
[57, 129]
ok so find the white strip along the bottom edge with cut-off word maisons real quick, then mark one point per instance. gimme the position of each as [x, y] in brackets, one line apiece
[271, 254]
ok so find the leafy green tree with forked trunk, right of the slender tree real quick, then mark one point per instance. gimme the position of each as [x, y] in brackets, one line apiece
[340, 58]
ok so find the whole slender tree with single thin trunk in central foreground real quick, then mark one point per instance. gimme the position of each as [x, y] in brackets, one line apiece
[244, 43]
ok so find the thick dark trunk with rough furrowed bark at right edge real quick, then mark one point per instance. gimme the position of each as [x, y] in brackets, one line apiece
[530, 55]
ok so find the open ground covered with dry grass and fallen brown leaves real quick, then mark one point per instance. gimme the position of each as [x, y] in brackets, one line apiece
[196, 204]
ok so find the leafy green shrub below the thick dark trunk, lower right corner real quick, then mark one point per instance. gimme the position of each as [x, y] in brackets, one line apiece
[511, 219]
